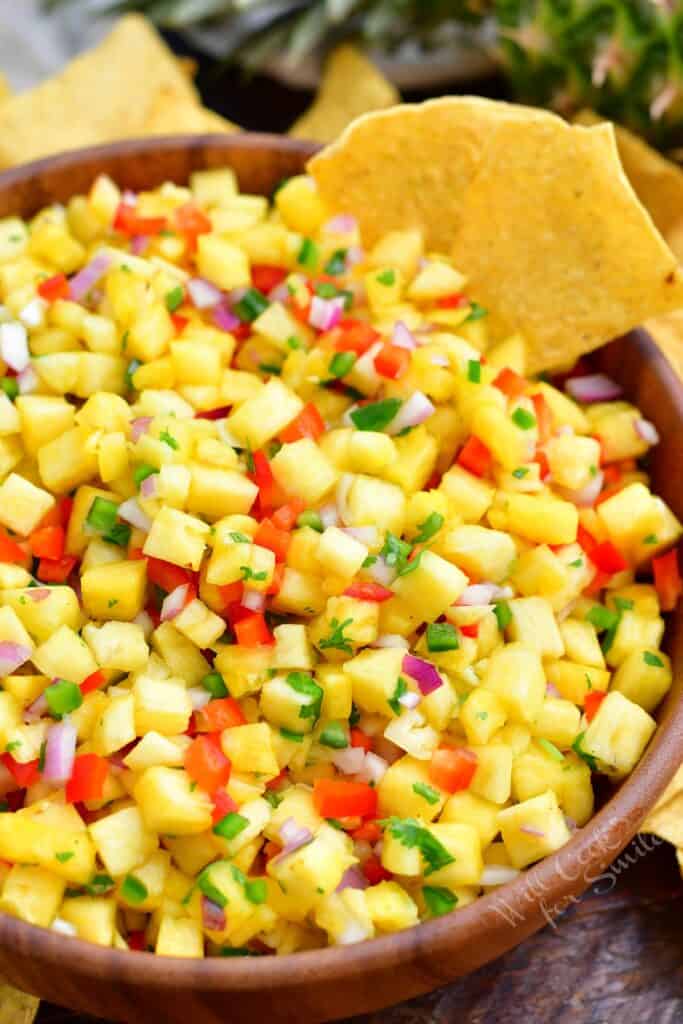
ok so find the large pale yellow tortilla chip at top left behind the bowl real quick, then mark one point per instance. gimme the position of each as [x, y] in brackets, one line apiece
[105, 95]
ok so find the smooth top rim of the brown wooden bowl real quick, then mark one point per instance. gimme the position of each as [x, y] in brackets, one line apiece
[591, 848]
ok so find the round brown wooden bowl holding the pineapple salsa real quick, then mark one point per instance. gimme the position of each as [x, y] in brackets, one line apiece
[331, 984]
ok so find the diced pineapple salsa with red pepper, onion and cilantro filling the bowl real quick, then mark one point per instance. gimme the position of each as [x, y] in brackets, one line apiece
[317, 615]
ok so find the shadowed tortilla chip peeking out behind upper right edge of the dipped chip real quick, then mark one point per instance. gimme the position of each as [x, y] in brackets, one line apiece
[657, 182]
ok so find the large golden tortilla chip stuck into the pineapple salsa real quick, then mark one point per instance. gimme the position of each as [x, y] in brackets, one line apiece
[538, 215]
